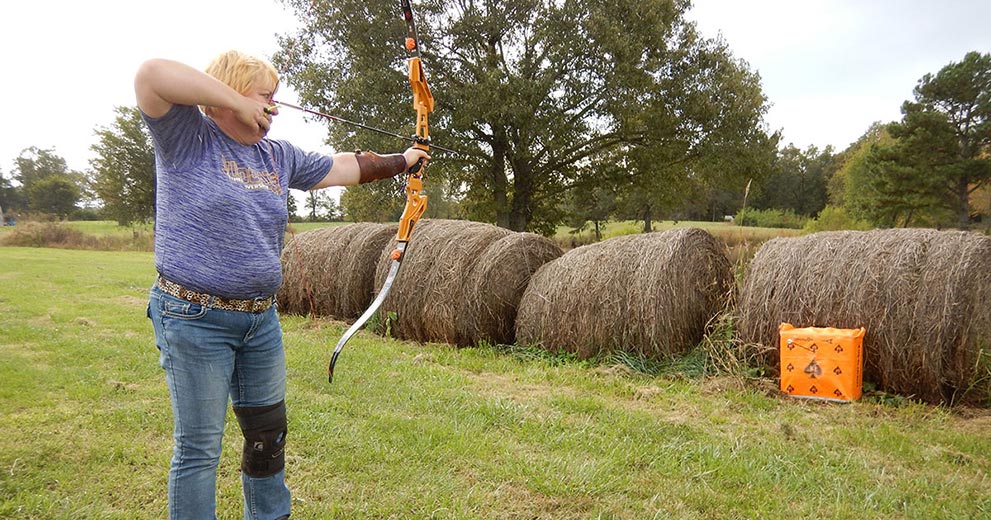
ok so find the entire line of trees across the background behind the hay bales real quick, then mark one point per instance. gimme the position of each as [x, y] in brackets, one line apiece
[574, 114]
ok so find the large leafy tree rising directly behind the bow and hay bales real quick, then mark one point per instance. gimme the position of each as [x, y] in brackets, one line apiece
[534, 93]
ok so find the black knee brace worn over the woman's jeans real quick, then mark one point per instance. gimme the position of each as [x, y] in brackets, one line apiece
[264, 429]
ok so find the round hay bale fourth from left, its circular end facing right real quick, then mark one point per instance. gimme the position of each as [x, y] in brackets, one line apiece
[650, 294]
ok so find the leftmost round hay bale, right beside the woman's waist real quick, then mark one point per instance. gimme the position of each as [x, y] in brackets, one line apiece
[336, 265]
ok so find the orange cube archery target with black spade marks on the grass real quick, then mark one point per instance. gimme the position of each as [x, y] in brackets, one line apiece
[822, 363]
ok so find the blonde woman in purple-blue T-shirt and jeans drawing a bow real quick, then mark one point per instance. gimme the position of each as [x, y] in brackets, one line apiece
[220, 221]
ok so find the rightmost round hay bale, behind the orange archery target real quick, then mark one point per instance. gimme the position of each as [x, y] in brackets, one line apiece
[923, 295]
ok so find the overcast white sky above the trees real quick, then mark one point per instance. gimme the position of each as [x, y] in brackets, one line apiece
[829, 67]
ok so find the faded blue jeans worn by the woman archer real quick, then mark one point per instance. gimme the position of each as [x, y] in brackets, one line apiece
[209, 354]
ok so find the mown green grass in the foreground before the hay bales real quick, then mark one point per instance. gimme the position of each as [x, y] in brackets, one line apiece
[432, 431]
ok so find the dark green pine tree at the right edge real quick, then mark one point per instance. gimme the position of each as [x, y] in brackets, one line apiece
[946, 133]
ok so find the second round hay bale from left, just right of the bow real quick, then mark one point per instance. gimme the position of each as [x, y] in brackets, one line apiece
[430, 295]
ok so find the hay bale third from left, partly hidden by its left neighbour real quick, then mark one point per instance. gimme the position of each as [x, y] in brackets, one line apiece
[500, 278]
